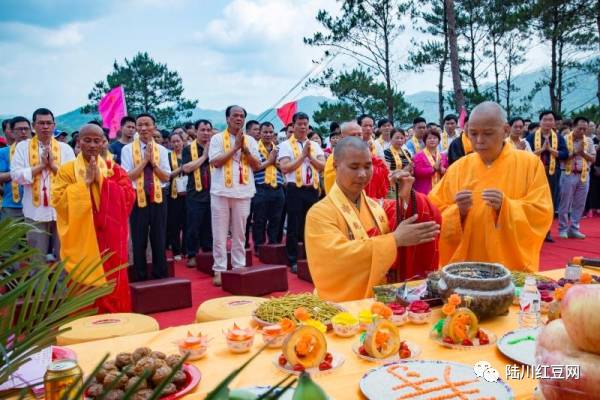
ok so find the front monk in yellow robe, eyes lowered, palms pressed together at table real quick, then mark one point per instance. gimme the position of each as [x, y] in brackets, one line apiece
[349, 245]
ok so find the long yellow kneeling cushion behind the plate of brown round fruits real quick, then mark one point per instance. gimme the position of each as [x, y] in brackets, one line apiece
[106, 326]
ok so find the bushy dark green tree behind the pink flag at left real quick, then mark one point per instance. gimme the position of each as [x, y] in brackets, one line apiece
[149, 87]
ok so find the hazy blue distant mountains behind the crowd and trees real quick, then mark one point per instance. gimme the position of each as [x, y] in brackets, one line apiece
[426, 101]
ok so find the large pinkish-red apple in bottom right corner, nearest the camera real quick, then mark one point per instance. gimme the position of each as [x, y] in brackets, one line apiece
[554, 347]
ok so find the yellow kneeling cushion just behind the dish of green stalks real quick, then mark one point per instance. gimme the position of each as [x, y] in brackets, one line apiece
[227, 307]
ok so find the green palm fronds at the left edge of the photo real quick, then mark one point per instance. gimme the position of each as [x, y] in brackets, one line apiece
[42, 299]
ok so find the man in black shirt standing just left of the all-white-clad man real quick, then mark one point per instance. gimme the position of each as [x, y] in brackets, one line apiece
[196, 166]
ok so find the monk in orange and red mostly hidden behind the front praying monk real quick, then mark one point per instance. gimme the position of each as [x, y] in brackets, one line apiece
[378, 185]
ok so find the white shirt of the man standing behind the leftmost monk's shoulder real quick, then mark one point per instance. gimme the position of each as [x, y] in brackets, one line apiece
[20, 172]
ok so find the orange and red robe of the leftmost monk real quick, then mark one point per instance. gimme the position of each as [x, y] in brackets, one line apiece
[92, 222]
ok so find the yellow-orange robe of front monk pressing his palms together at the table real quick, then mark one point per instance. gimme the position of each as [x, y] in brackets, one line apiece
[343, 268]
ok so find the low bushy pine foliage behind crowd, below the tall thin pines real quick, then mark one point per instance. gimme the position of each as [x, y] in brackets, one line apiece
[358, 93]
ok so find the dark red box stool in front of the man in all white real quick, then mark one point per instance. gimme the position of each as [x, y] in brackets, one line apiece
[256, 281]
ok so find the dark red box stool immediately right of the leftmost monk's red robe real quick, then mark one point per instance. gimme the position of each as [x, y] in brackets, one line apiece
[161, 295]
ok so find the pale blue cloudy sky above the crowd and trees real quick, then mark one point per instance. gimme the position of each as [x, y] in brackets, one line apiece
[248, 52]
